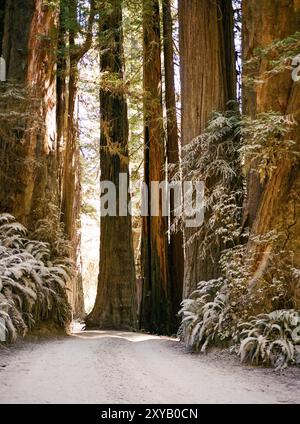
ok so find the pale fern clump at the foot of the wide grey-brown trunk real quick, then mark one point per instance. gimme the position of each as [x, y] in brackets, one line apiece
[204, 315]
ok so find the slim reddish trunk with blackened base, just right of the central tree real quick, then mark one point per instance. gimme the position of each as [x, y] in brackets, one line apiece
[155, 312]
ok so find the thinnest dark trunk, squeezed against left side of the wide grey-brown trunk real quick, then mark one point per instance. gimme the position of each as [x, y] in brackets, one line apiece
[176, 257]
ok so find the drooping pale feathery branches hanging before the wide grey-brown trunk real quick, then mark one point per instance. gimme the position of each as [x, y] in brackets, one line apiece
[214, 158]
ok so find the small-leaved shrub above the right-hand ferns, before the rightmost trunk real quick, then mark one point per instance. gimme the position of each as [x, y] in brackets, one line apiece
[263, 281]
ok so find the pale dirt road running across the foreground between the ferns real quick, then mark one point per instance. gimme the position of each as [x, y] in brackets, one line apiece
[117, 367]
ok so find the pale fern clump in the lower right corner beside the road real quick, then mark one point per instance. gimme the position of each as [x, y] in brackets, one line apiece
[270, 339]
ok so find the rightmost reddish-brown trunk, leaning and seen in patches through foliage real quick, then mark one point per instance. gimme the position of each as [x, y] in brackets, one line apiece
[274, 204]
